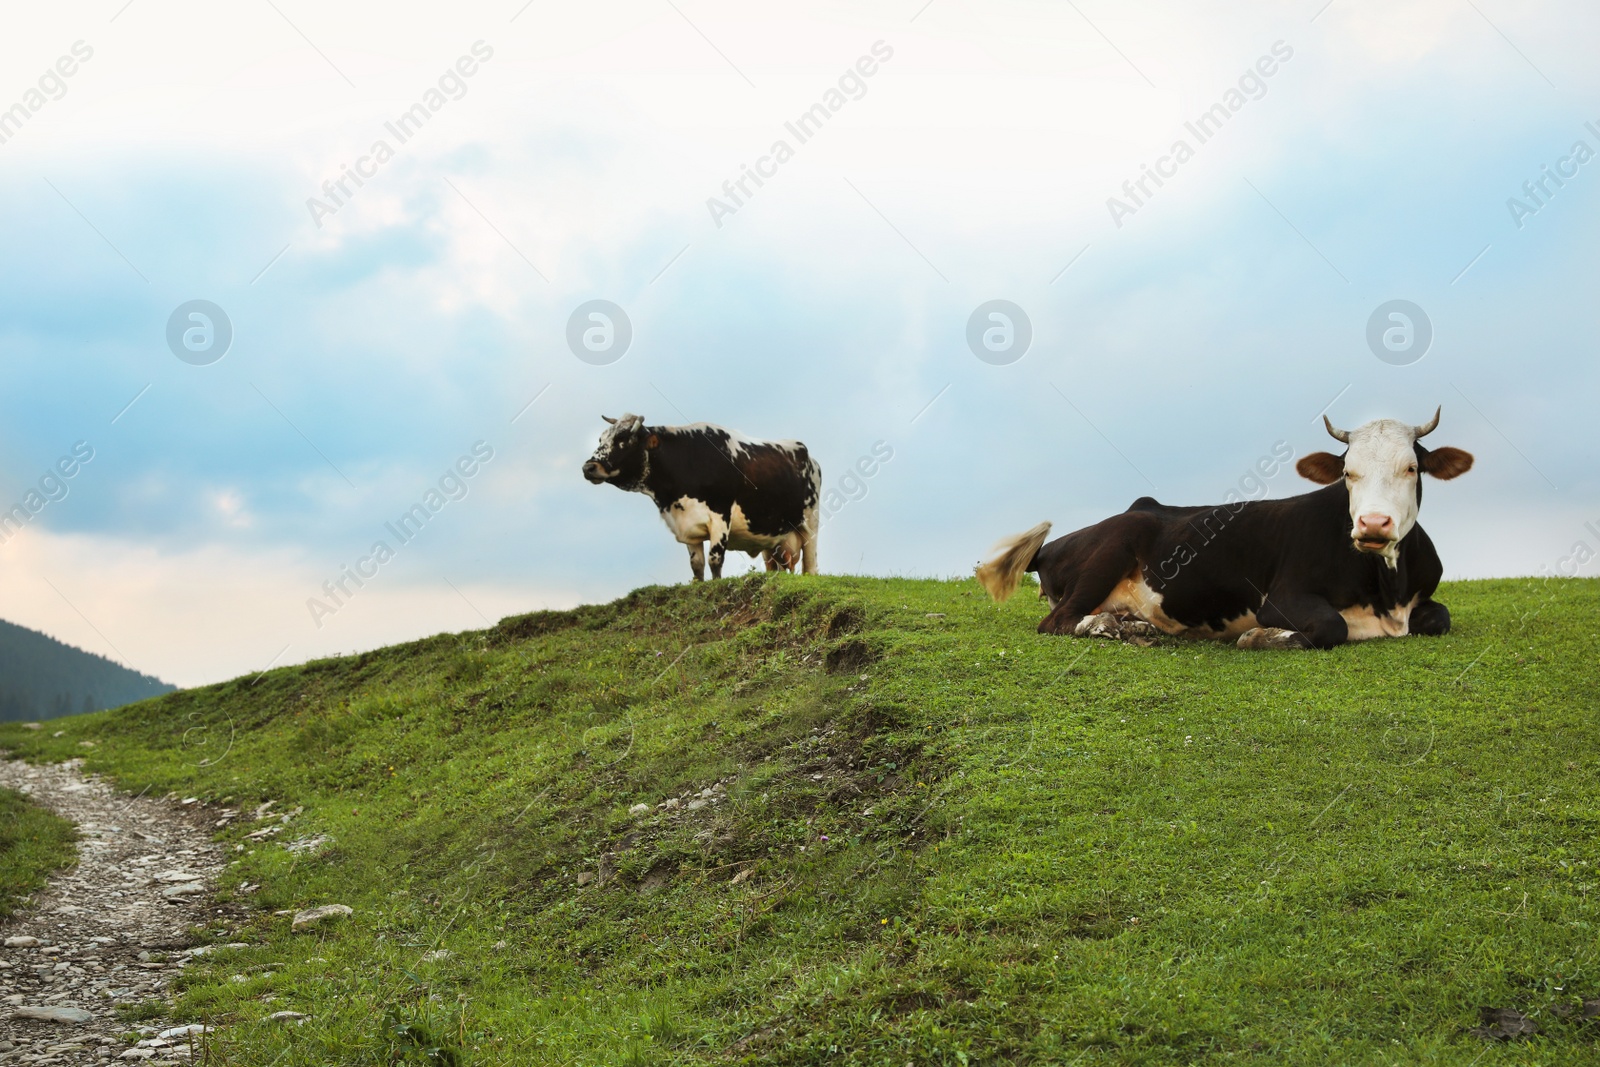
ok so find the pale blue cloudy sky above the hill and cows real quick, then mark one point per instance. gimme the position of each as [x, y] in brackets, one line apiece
[959, 153]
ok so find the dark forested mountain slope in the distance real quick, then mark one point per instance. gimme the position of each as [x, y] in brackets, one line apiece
[44, 679]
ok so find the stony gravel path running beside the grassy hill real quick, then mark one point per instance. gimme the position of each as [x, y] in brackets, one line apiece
[111, 932]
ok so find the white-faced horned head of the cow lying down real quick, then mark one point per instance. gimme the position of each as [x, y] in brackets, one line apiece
[1382, 468]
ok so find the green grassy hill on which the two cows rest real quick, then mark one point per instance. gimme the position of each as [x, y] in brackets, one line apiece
[890, 825]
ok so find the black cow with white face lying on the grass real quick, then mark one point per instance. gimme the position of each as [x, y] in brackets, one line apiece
[1342, 564]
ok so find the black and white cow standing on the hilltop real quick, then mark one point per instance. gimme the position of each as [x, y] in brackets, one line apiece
[713, 486]
